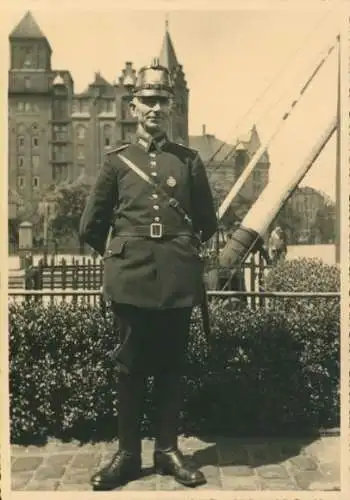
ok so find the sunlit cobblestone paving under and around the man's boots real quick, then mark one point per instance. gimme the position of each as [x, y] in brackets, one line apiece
[228, 464]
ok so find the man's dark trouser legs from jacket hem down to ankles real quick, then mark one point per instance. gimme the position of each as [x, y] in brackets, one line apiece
[151, 342]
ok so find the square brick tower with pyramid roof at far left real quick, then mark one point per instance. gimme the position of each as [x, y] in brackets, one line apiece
[39, 137]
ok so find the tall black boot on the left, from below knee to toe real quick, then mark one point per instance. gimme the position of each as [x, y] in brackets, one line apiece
[126, 463]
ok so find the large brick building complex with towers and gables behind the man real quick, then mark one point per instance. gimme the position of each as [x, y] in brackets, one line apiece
[57, 135]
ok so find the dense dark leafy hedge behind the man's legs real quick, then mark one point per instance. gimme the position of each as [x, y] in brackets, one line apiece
[263, 372]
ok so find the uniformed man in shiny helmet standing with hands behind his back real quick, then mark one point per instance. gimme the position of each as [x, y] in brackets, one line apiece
[156, 197]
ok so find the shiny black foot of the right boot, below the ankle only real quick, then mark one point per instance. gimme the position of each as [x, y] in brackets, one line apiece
[172, 463]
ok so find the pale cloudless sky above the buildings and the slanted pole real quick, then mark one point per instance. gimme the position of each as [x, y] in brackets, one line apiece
[229, 58]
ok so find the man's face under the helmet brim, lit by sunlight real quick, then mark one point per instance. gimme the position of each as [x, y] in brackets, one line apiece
[152, 112]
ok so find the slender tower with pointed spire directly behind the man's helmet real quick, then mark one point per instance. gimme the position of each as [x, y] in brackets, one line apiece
[178, 126]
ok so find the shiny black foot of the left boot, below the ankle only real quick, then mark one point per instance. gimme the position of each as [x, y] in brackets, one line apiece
[123, 468]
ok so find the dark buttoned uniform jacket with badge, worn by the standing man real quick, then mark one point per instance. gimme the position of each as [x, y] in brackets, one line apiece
[138, 270]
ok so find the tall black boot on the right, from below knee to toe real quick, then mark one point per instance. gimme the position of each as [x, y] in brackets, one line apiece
[167, 457]
